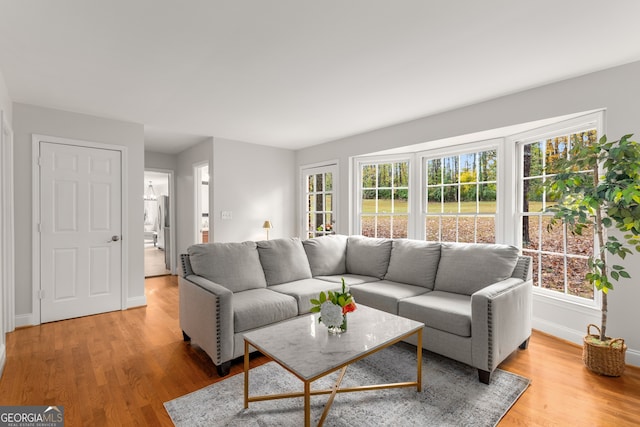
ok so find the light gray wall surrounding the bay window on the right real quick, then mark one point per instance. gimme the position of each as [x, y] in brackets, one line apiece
[616, 89]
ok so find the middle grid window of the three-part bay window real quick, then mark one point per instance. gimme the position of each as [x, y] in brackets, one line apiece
[460, 194]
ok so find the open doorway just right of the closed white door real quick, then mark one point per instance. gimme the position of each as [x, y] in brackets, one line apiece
[157, 223]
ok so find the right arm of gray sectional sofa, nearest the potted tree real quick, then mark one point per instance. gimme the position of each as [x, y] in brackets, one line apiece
[500, 321]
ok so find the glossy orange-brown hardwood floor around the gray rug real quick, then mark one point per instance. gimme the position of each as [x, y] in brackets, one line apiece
[118, 368]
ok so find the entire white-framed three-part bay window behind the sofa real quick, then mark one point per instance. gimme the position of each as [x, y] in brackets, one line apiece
[487, 191]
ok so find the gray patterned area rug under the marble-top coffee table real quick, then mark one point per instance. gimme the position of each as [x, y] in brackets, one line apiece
[451, 396]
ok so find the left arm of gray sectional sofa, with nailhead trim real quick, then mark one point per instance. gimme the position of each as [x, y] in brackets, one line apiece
[206, 316]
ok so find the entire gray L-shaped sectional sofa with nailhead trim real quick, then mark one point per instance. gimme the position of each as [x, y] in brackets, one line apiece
[475, 299]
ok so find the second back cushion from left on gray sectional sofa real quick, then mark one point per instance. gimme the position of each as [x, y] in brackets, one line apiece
[283, 260]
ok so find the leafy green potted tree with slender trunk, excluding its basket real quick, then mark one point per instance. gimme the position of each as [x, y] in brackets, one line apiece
[599, 187]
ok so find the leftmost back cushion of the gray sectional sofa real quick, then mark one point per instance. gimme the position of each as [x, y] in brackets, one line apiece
[236, 266]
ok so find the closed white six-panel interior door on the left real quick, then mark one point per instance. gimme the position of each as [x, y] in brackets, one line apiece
[80, 231]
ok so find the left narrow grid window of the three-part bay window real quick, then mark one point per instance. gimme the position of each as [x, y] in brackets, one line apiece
[384, 199]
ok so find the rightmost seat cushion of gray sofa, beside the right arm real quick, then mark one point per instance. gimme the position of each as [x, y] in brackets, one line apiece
[444, 311]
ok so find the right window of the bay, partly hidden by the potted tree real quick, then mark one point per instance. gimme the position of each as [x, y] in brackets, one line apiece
[559, 257]
